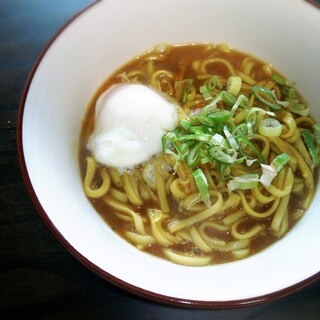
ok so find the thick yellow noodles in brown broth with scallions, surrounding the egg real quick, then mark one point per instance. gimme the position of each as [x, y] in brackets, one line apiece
[233, 177]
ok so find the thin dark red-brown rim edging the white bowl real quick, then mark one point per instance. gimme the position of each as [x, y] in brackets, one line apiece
[102, 273]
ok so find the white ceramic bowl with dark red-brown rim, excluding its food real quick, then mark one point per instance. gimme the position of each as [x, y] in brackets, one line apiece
[89, 48]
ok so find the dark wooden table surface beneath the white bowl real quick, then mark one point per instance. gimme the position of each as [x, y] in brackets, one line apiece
[38, 276]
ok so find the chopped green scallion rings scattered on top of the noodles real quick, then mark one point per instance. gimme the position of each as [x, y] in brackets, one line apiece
[213, 133]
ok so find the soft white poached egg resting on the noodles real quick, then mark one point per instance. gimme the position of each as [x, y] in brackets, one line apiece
[130, 120]
